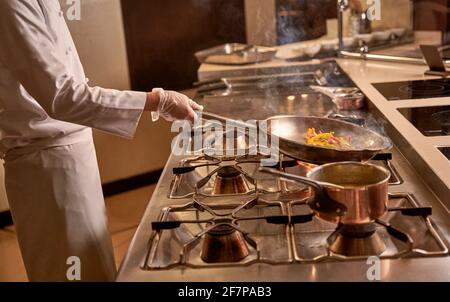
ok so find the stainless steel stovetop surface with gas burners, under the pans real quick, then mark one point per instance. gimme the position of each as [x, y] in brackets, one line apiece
[204, 202]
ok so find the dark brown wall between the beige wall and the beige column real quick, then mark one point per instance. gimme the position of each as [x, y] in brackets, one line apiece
[162, 37]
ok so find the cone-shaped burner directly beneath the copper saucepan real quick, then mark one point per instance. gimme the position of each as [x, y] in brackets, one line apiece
[356, 240]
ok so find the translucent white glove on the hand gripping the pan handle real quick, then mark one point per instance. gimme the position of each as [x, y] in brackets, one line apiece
[175, 106]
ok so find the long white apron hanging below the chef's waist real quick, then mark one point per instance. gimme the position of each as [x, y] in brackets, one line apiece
[58, 208]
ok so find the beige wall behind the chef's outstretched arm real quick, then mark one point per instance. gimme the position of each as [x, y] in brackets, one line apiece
[100, 41]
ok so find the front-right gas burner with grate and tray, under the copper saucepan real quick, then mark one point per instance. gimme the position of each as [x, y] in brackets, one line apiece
[398, 233]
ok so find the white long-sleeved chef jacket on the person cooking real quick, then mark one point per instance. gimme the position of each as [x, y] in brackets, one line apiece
[44, 93]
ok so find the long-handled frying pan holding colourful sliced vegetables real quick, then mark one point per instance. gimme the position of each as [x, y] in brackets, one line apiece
[291, 132]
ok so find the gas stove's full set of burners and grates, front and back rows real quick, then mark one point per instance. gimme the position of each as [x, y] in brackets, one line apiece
[233, 215]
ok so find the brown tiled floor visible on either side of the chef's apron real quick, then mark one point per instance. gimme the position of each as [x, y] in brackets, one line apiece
[124, 212]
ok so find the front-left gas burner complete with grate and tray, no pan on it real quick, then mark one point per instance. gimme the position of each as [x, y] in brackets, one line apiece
[213, 232]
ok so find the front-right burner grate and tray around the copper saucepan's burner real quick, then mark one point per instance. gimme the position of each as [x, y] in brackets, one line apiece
[406, 231]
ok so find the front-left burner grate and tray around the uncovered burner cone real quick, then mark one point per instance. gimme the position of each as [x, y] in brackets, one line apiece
[183, 229]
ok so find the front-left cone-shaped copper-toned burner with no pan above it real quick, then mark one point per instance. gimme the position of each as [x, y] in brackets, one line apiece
[224, 243]
